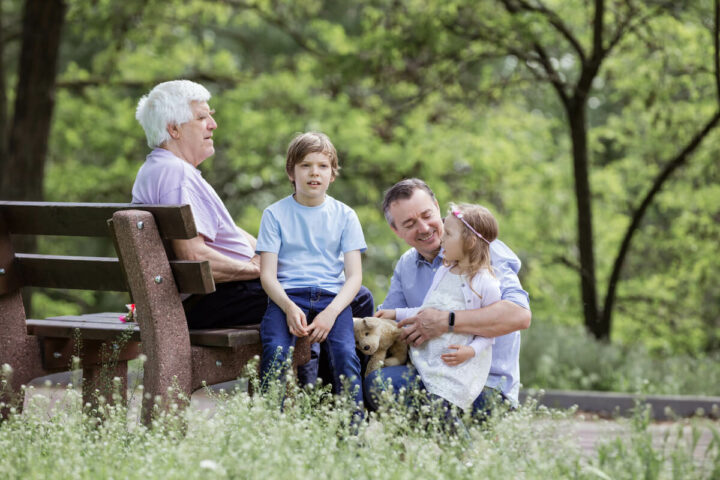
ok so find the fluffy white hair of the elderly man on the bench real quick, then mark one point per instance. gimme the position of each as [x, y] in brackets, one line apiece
[168, 103]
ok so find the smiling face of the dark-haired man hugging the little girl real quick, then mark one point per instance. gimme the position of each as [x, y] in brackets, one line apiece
[417, 221]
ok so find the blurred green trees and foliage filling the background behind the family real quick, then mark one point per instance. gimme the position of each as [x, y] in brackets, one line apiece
[559, 116]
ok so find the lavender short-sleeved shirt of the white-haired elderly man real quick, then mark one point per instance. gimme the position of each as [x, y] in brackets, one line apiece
[168, 180]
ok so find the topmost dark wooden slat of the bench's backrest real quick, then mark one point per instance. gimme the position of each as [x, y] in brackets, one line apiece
[89, 219]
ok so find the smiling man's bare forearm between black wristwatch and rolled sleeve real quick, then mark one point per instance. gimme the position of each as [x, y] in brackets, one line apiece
[495, 320]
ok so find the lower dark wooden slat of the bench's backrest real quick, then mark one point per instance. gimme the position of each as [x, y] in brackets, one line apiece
[102, 273]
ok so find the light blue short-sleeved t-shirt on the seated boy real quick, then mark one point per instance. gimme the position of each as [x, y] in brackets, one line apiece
[310, 241]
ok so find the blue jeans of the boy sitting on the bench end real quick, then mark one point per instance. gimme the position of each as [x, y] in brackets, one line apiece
[340, 341]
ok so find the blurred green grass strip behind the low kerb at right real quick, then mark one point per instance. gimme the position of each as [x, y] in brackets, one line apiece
[567, 358]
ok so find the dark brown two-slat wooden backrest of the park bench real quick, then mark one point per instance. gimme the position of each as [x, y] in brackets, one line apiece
[19, 270]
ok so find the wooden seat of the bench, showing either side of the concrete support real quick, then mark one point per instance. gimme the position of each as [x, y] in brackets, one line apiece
[107, 326]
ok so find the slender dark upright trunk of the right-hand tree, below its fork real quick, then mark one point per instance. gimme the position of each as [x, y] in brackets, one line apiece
[576, 112]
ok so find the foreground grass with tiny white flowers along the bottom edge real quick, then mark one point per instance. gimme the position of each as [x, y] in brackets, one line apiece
[313, 436]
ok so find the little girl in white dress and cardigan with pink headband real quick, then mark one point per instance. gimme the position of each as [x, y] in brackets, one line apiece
[455, 366]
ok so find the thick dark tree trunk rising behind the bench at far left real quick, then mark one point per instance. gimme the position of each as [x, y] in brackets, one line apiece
[22, 172]
